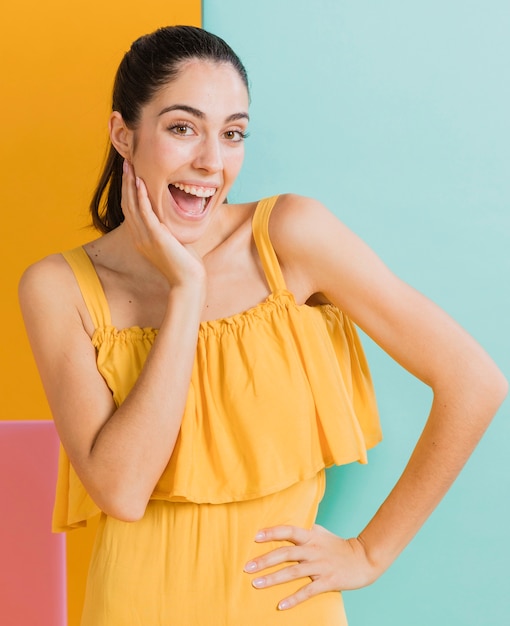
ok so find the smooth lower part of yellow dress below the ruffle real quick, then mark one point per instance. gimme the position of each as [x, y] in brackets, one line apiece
[182, 565]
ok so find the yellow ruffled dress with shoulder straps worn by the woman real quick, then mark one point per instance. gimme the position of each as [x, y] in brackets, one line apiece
[278, 393]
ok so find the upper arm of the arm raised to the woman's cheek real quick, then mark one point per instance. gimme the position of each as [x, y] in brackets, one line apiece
[55, 320]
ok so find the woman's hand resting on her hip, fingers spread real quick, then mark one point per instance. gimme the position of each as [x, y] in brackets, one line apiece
[332, 563]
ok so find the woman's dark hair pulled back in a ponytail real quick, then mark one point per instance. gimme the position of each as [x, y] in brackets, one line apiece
[152, 61]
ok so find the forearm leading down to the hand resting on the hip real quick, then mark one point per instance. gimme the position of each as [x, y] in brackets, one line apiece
[456, 423]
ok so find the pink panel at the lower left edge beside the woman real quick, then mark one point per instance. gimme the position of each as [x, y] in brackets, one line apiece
[32, 558]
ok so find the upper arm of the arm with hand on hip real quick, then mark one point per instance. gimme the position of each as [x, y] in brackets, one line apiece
[313, 243]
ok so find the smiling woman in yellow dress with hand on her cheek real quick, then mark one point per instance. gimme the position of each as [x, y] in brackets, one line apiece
[202, 368]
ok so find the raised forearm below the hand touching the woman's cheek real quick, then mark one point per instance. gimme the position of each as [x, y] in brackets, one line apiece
[134, 445]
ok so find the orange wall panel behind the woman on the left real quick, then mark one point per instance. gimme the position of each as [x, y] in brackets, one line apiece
[58, 59]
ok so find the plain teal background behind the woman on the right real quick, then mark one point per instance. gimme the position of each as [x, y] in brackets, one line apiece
[395, 114]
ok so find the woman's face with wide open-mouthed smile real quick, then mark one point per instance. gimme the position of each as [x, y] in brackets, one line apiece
[189, 145]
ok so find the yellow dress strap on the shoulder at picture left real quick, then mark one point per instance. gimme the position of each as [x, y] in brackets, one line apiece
[90, 286]
